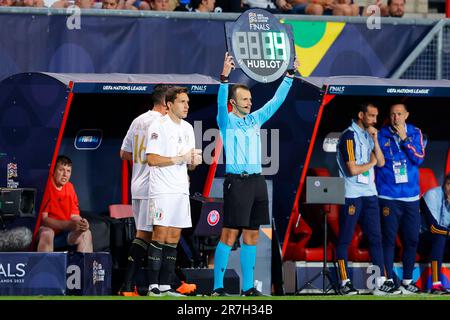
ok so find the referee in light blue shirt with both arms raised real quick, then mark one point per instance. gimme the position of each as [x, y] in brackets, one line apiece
[245, 191]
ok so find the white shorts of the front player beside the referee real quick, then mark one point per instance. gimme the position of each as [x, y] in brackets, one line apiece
[171, 210]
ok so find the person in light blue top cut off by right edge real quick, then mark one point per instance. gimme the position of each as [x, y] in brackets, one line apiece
[435, 207]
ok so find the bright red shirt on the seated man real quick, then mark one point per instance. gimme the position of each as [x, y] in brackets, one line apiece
[60, 204]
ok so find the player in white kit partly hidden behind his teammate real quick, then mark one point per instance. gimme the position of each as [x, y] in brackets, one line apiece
[133, 149]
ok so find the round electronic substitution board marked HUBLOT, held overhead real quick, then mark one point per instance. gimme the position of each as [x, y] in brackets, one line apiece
[260, 45]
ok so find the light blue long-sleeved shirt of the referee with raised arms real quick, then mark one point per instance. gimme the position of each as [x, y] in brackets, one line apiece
[241, 136]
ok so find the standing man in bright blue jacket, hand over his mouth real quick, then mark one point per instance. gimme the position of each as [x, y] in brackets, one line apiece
[399, 191]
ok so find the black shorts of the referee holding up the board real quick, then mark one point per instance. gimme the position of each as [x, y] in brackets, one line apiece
[246, 203]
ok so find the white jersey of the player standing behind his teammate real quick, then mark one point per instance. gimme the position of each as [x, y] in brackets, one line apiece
[135, 142]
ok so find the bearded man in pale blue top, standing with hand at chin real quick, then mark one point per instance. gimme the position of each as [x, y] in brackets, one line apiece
[358, 153]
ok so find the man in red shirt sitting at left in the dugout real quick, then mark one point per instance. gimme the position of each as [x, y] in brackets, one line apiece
[61, 222]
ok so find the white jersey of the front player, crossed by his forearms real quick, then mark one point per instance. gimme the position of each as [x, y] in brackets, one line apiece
[169, 139]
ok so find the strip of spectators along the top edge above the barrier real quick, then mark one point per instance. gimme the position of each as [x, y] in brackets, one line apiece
[393, 8]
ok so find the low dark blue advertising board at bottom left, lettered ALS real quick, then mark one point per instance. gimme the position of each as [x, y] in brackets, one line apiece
[55, 273]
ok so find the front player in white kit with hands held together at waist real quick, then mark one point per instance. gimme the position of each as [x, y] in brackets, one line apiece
[170, 152]
